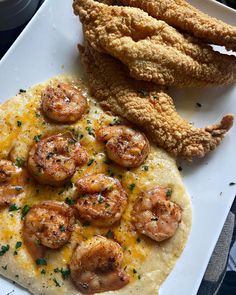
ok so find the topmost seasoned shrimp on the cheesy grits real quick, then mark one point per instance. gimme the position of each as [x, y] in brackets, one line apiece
[63, 103]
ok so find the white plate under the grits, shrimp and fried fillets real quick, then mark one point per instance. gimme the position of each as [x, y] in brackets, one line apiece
[47, 47]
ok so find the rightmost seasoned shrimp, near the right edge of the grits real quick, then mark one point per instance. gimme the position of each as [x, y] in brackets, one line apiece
[156, 216]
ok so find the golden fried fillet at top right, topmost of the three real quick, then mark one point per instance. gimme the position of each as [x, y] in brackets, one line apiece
[182, 15]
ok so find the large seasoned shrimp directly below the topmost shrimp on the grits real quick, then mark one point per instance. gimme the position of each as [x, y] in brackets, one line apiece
[53, 160]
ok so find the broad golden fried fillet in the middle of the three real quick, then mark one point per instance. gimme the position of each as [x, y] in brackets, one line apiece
[151, 49]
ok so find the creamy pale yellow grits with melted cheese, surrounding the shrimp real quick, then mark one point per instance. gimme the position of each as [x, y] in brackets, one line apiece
[22, 123]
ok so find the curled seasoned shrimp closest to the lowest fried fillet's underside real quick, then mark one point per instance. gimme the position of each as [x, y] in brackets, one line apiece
[125, 146]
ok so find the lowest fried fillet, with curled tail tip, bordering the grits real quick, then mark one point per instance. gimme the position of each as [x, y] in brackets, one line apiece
[149, 107]
